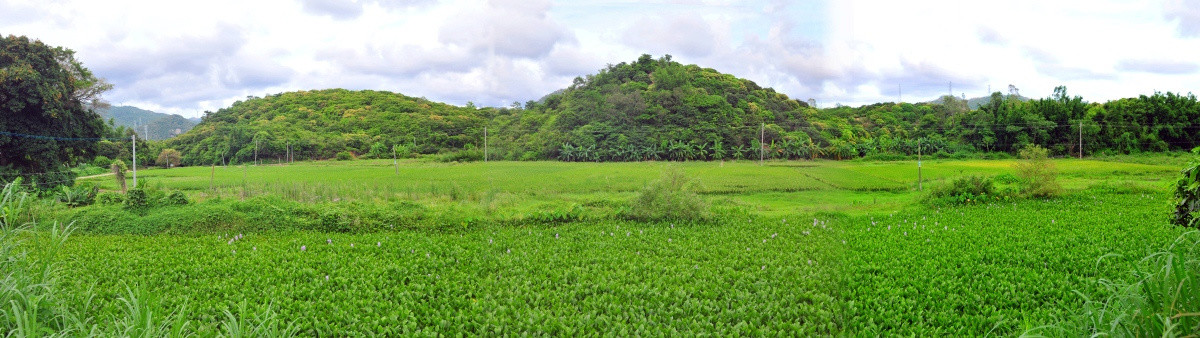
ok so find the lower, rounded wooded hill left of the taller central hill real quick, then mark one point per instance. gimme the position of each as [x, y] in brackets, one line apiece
[320, 124]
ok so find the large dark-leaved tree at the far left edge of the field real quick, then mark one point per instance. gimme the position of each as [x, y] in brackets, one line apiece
[44, 93]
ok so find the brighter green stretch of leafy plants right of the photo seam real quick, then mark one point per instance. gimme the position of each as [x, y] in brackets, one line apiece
[994, 269]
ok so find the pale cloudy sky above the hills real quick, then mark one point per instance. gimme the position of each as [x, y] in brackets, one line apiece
[190, 57]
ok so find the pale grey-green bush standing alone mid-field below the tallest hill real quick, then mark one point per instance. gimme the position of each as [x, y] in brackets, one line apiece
[669, 198]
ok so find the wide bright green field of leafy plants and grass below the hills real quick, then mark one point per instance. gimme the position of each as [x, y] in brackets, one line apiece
[791, 249]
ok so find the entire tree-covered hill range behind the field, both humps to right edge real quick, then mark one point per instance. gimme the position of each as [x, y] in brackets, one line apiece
[661, 110]
